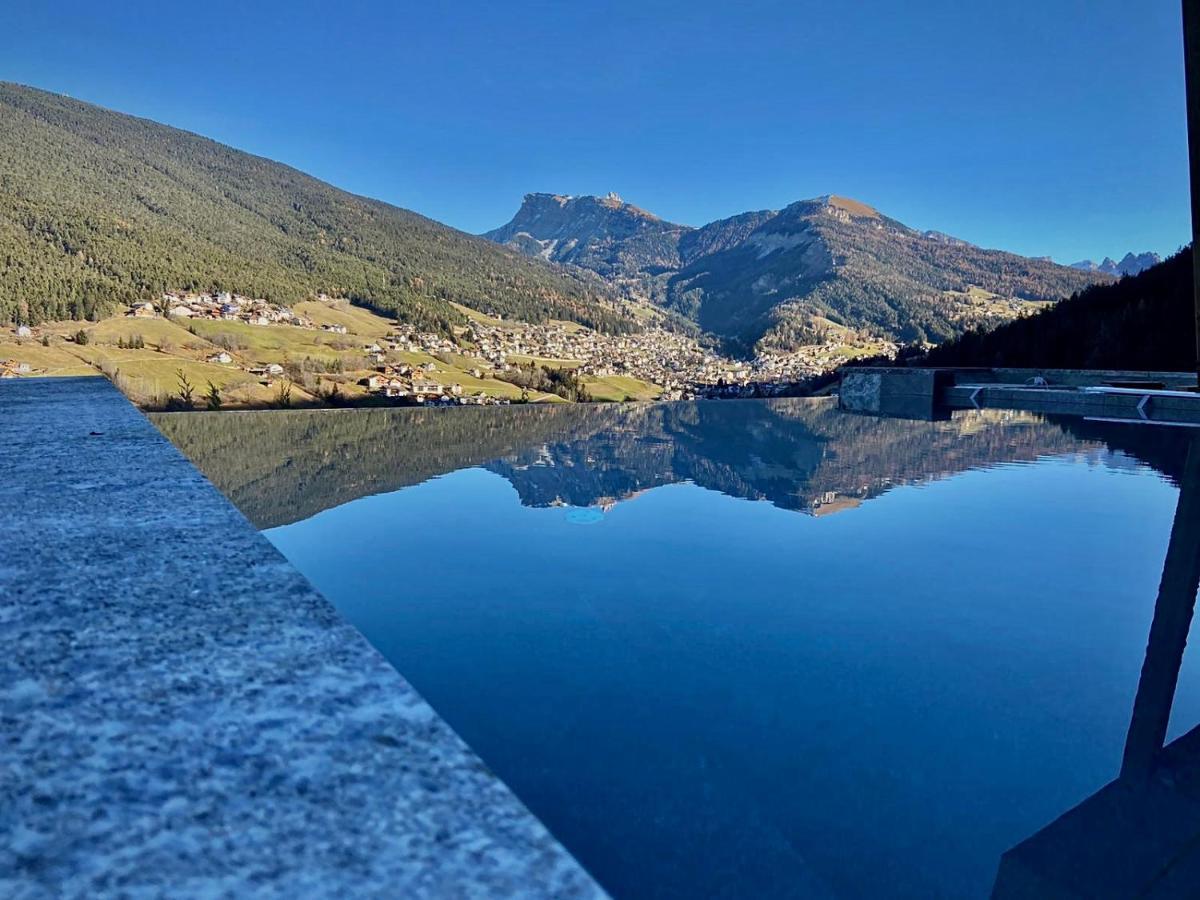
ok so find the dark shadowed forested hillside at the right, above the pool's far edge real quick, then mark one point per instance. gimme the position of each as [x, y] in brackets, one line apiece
[1143, 322]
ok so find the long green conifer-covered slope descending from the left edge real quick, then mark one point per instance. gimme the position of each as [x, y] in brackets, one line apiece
[99, 209]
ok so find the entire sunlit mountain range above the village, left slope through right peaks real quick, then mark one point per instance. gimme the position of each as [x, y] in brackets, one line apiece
[99, 209]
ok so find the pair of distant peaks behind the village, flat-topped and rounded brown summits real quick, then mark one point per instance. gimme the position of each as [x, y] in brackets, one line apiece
[776, 279]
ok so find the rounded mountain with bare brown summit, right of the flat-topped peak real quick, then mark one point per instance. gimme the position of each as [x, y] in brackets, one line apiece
[841, 261]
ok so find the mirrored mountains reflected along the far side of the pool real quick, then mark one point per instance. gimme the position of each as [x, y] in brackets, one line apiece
[806, 455]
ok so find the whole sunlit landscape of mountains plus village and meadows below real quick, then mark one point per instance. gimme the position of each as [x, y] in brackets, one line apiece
[196, 275]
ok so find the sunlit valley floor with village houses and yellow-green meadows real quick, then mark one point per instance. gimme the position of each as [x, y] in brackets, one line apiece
[224, 351]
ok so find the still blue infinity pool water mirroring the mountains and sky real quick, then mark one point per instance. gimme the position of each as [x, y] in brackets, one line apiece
[746, 649]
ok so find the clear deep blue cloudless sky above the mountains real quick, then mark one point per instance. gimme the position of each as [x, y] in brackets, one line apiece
[1049, 128]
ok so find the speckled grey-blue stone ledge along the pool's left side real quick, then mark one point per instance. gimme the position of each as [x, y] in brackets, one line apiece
[182, 715]
